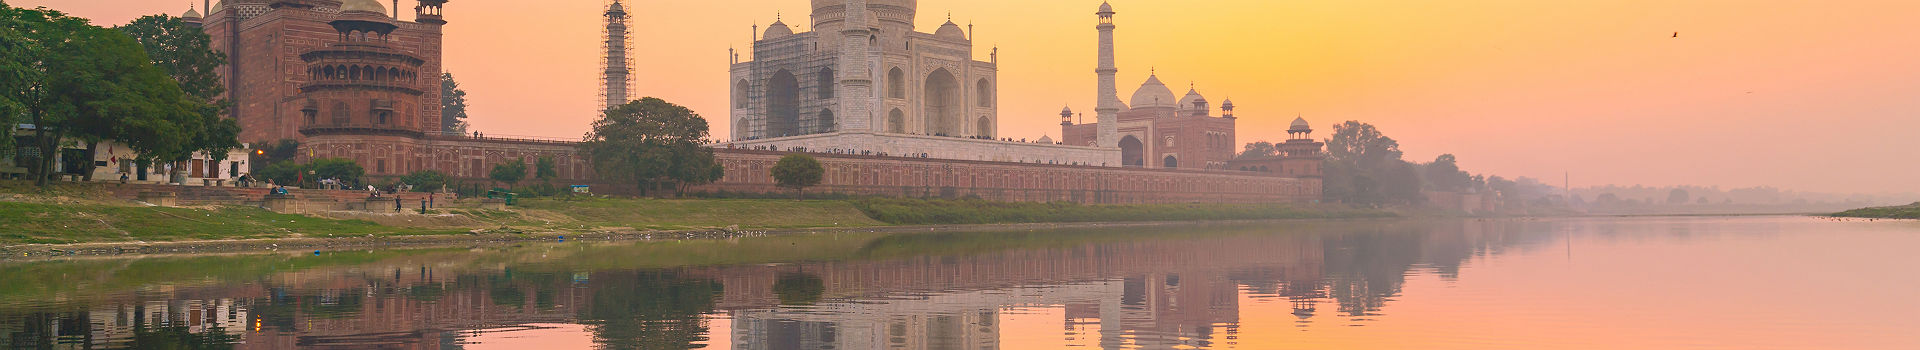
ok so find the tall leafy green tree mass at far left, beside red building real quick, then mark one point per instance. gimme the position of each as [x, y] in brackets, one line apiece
[87, 84]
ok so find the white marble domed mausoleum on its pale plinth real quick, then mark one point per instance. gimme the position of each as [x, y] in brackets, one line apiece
[863, 82]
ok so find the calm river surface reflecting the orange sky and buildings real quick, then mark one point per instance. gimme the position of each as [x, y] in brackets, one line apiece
[1495, 284]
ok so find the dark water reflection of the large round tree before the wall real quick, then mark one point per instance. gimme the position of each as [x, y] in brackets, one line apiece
[650, 309]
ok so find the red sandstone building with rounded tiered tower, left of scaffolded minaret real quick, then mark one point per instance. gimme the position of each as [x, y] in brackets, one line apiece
[302, 62]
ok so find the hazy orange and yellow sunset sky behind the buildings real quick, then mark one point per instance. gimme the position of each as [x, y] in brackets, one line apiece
[1788, 93]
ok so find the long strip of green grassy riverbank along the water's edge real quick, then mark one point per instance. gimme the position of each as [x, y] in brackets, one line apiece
[74, 214]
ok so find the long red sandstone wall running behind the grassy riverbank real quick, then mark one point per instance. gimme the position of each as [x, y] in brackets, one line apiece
[867, 176]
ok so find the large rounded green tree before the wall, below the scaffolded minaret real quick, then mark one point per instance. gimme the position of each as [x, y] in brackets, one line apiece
[650, 143]
